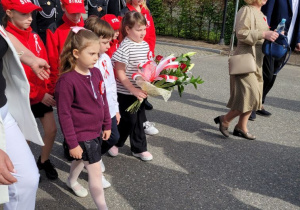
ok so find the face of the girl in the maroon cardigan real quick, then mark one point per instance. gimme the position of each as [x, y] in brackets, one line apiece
[88, 57]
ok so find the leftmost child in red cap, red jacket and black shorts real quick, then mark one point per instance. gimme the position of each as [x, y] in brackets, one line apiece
[17, 21]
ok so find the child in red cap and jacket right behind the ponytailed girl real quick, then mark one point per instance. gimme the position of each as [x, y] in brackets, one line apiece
[57, 33]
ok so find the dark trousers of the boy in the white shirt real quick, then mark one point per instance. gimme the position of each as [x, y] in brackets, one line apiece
[113, 139]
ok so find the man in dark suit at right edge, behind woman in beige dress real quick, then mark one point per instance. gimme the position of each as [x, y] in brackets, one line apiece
[276, 10]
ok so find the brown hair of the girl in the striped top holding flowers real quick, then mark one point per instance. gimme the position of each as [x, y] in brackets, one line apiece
[130, 19]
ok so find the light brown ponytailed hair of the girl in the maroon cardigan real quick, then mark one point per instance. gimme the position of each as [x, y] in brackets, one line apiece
[80, 40]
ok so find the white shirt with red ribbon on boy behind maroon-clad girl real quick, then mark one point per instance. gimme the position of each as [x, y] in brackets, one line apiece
[106, 69]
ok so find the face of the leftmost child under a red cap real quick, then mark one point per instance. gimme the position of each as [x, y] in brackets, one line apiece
[20, 20]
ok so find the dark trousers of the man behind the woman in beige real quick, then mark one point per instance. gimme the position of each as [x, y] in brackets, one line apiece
[269, 68]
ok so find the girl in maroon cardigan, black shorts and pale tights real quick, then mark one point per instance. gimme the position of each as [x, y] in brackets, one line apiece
[83, 110]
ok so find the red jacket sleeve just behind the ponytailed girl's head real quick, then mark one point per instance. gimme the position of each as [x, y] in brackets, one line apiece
[53, 57]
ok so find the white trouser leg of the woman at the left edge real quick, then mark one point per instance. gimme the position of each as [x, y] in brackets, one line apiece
[22, 194]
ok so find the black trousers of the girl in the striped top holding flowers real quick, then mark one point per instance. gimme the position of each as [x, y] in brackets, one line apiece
[131, 124]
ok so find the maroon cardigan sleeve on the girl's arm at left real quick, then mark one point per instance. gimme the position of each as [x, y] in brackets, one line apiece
[64, 95]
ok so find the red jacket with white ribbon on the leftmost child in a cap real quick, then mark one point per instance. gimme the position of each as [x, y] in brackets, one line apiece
[31, 40]
